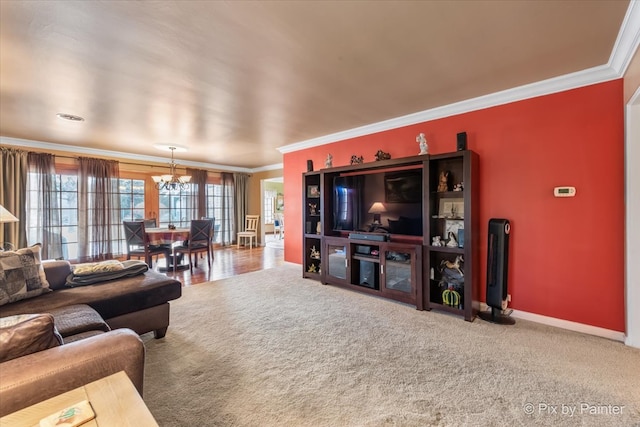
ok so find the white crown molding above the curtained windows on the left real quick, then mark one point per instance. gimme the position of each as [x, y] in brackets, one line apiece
[117, 154]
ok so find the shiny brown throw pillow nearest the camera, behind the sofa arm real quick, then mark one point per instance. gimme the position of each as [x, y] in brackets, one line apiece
[25, 334]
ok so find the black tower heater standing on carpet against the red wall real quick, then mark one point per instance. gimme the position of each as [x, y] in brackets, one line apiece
[497, 270]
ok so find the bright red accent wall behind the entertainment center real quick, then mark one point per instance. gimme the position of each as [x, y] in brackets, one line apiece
[567, 254]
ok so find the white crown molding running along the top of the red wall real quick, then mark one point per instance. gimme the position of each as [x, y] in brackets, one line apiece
[623, 50]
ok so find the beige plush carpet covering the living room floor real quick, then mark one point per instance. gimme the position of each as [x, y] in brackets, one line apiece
[272, 349]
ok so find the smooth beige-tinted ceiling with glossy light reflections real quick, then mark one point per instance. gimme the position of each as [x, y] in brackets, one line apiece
[231, 81]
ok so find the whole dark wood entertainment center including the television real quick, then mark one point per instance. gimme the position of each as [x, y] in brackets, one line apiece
[397, 258]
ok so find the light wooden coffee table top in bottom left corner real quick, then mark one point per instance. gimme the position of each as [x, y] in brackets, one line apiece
[114, 399]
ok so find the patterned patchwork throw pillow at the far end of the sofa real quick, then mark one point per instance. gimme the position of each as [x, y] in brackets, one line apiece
[21, 275]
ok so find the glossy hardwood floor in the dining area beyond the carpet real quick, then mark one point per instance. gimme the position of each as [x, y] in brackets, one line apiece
[229, 262]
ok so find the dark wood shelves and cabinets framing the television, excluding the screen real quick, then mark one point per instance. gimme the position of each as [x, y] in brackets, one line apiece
[404, 268]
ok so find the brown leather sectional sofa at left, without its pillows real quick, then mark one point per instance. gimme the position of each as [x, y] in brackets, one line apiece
[97, 327]
